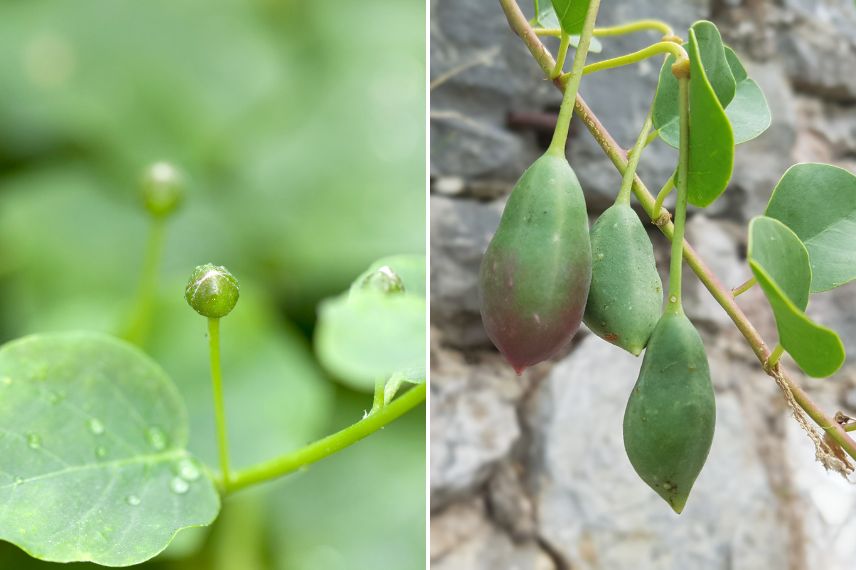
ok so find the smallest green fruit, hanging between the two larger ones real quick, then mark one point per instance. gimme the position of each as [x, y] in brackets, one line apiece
[626, 295]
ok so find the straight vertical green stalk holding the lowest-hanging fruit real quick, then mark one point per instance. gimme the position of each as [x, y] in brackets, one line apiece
[676, 266]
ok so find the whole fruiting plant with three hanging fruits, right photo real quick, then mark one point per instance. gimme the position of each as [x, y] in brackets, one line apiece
[545, 272]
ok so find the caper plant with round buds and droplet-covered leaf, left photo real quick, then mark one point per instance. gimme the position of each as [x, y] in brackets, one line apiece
[94, 458]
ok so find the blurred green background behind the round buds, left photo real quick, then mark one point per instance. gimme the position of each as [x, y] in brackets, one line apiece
[300, 126]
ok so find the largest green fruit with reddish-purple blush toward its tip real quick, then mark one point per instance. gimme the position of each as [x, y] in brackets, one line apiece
[535, 275]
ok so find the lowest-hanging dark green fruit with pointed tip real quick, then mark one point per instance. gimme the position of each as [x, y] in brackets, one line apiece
[670, 416]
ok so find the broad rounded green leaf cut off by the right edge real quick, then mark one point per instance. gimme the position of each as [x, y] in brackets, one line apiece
[818, 202]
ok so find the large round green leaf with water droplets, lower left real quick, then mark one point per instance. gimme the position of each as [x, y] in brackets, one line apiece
[93, 465]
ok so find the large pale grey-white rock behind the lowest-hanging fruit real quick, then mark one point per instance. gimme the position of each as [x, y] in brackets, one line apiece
[596, 513]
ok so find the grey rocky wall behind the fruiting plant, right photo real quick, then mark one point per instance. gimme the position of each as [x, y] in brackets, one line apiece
[530, 473]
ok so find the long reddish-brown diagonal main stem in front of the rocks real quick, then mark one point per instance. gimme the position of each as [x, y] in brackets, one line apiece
[720, 293]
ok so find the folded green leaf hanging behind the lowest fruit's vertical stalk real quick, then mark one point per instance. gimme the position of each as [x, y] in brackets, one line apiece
[711, 136]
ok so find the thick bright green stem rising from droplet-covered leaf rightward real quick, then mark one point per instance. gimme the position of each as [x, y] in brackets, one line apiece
[295, 460]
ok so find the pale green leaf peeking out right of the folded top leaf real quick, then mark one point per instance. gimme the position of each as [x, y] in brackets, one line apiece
[748, 111]
